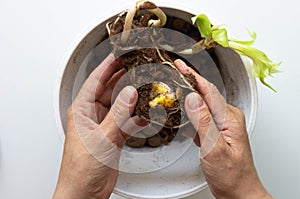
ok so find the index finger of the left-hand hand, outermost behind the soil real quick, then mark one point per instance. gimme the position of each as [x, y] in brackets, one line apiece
[95, 84]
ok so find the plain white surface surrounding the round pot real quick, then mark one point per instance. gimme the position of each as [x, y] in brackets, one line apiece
[36, 38]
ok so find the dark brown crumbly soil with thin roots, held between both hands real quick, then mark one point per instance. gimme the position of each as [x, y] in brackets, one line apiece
[148, 65]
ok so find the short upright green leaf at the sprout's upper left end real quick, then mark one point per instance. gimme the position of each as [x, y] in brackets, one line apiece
[203, 24]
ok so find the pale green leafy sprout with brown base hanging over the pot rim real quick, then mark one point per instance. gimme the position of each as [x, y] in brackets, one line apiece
[213, 35]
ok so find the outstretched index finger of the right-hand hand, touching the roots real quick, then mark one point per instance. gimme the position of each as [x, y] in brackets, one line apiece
[212, 97]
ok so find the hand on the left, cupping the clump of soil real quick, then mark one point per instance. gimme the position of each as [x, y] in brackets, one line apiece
[94, 137]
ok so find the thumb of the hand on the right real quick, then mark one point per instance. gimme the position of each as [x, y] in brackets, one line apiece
[201, 118]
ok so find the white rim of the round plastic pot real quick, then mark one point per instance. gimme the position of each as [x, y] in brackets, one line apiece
[75, 45]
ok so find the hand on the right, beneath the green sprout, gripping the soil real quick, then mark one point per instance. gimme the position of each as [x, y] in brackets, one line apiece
[226, 157]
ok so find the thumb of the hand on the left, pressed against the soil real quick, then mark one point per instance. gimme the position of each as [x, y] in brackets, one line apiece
[119, 113]
